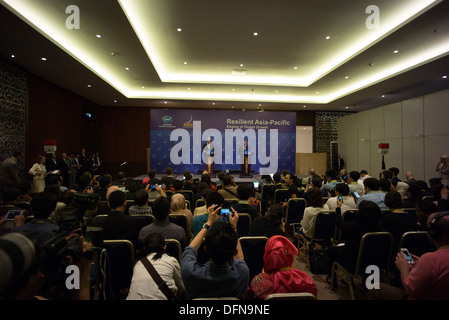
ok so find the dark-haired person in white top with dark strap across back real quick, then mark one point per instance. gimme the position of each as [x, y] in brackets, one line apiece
[143, 286]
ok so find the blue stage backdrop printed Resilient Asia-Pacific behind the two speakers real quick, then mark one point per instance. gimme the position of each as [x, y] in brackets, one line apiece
[179, 136]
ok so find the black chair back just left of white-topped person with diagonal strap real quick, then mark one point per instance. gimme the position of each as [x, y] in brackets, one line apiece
[121, 258]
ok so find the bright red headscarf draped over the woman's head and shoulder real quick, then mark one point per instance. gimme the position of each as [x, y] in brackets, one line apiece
[278, 260]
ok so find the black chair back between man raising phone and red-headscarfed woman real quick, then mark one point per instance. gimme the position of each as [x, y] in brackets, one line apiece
[253, 251]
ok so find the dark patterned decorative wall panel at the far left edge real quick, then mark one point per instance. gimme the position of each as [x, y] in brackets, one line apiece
[13, 111]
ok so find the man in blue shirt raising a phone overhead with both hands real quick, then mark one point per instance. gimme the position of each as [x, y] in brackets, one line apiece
[226, 273]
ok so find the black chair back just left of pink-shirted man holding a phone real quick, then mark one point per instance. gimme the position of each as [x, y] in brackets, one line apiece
[375, 249]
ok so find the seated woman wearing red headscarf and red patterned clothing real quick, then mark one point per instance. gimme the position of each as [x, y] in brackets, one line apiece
[278, 276]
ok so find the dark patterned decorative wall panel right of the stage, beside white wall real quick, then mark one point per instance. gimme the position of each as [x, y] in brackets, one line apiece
[326, 131]
